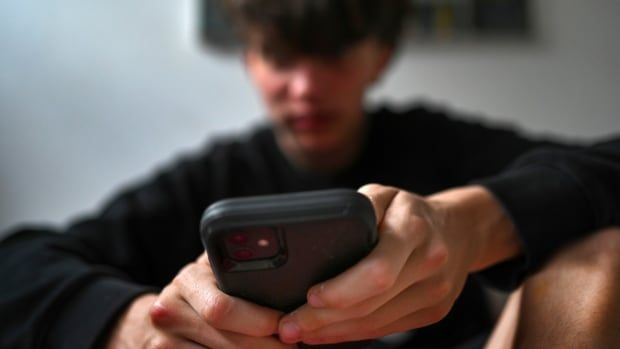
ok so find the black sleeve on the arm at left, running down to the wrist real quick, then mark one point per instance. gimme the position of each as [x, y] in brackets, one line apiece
[64, 289]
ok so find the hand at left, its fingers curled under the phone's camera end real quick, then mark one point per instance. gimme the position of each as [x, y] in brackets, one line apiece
[191, 312]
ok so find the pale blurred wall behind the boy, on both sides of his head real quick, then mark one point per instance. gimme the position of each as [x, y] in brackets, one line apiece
[95, 94]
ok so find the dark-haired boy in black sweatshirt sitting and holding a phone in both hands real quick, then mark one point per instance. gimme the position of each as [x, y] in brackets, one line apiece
[459, 203]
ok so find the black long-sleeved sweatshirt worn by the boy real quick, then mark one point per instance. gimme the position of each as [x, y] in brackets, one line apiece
[67, 290]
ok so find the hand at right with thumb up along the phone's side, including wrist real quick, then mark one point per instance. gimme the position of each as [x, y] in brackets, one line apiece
[426, 248]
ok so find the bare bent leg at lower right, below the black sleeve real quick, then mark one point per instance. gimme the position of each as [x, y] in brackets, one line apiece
[573, 302]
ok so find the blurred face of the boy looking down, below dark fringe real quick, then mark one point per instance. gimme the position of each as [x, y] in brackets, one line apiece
[315, 103]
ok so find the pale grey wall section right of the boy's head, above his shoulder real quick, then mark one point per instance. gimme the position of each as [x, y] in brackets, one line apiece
[567, 81]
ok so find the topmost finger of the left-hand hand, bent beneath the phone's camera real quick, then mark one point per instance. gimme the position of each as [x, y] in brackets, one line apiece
[198, 287]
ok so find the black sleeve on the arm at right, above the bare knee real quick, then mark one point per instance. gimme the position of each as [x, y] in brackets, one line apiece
[554, 196]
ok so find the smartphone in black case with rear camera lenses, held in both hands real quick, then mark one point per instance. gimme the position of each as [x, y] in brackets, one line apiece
[271, 249]
